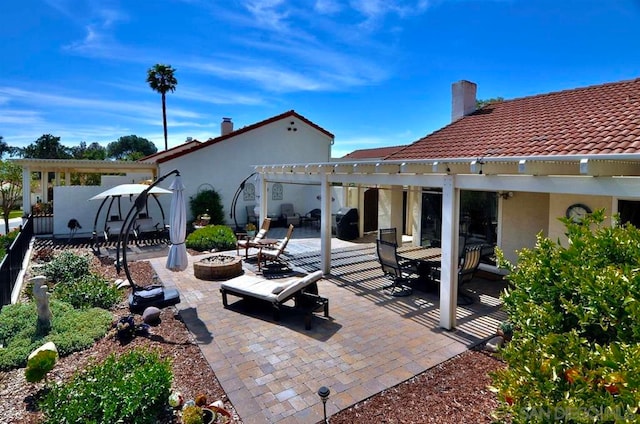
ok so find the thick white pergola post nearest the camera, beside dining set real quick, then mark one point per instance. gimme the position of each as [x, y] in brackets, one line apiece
[449, 264]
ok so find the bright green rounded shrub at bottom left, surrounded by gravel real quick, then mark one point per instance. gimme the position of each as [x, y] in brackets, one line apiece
[131, 388]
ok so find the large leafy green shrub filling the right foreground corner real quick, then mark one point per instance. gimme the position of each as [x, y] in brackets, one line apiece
[575, 351]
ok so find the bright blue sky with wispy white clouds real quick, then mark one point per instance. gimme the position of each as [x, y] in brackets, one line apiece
[373, 72]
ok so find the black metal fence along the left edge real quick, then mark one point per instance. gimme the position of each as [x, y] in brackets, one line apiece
[12, 262]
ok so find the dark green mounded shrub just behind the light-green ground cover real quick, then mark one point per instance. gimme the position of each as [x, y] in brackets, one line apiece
[90, 291]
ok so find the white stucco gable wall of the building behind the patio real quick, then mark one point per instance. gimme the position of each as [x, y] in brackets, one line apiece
[225, 164]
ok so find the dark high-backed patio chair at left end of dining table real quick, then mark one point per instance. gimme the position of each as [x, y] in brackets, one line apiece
[401, 272]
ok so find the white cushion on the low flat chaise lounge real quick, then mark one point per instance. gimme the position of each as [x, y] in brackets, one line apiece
[272, 290]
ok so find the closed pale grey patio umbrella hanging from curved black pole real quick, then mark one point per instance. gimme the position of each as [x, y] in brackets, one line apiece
[177, 259]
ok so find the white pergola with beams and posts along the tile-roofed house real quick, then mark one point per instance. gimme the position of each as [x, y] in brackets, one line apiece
[605, 175]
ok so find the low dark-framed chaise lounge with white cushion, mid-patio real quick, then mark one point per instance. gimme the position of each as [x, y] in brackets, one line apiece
[303, 290]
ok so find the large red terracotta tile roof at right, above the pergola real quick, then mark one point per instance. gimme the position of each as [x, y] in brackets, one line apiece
[602, 119]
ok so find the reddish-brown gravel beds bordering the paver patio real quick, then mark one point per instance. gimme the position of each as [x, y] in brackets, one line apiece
[452, 392]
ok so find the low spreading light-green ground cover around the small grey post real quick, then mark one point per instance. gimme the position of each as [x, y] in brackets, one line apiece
[71, 330]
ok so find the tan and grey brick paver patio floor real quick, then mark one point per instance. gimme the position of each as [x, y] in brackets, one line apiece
[271, 371]
